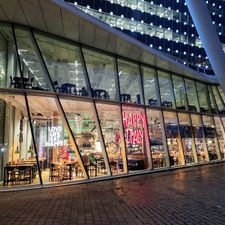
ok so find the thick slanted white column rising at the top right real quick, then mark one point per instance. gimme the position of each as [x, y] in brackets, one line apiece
[209, 37]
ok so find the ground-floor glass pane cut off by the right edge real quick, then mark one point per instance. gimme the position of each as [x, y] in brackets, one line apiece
[220, 135]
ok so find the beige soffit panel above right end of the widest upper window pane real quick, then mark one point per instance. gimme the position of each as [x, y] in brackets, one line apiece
[71, 24]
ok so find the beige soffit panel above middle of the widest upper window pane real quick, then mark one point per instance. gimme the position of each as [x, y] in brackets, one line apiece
[52, 17]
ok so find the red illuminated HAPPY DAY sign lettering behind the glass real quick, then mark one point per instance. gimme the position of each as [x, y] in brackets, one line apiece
[134, 124]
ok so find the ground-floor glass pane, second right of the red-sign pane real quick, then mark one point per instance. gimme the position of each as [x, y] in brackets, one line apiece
[173, 139]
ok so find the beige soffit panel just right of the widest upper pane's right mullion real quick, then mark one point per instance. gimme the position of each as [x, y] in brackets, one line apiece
[87, 33]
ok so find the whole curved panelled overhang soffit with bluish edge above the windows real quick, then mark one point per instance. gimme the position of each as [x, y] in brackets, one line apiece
[60, 18]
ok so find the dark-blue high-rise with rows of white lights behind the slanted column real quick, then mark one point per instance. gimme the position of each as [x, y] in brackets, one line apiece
[165, 25]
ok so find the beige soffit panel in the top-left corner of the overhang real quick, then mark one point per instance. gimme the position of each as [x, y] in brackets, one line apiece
[13, 11]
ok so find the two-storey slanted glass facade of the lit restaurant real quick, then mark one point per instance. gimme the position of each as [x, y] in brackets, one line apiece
[70, 113]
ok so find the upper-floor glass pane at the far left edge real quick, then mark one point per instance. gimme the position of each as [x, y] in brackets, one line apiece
[9, 66]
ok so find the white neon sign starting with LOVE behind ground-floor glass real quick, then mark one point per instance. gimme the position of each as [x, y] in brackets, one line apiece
[55, 136]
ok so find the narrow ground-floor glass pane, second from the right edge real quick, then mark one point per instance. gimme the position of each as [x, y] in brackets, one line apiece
[210, 135]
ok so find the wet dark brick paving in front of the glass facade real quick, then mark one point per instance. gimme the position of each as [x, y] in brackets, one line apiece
[187, 196]
